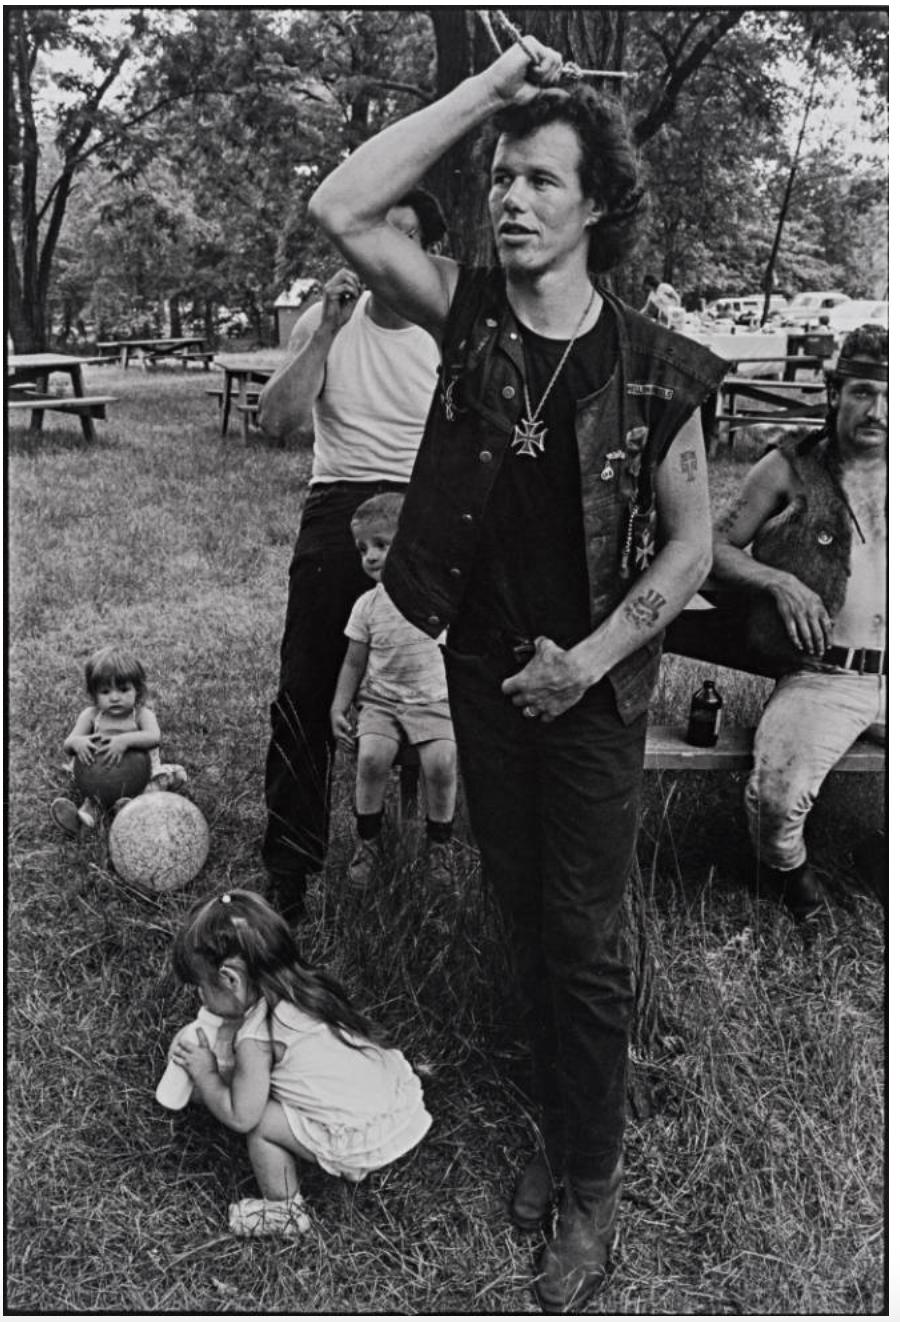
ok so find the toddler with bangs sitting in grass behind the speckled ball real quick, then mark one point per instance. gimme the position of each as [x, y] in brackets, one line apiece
[117, 722]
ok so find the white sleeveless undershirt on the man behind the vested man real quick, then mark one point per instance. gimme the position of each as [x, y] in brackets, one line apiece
[372, 410]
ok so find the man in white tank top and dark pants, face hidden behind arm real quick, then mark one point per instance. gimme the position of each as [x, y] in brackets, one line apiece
[361, 377]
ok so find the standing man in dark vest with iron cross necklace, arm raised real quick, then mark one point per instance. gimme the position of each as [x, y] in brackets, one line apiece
[557, 520]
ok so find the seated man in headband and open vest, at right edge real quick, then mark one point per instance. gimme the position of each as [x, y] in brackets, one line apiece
[815, 515]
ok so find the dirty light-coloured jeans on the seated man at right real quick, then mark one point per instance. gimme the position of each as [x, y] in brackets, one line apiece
[808, 725]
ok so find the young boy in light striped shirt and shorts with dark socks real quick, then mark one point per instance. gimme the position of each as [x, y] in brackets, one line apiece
[398, 674]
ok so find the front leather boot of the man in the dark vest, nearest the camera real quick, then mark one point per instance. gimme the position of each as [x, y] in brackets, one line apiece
[576, 1262]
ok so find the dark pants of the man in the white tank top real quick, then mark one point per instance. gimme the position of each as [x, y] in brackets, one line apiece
[326, 580]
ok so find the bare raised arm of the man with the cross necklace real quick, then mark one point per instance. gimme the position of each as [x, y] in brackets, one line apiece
[354, 202]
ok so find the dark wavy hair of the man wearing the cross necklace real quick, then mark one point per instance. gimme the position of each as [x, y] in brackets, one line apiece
[607, 170]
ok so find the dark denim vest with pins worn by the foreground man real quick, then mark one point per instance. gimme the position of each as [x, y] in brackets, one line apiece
[623, 432]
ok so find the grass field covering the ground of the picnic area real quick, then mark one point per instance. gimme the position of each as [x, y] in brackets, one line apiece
[755, 1171]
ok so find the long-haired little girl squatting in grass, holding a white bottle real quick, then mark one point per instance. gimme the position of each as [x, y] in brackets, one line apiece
[313, 1078]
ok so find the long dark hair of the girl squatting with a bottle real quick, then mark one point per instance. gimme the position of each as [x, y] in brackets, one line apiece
[244, 925]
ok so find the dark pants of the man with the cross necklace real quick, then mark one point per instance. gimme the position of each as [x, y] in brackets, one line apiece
[554, 811]
